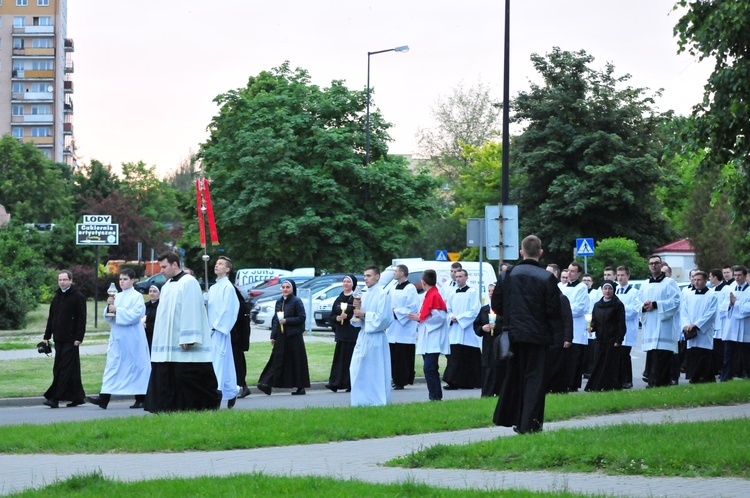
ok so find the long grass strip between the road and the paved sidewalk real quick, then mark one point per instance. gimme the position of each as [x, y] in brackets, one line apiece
[240, 429]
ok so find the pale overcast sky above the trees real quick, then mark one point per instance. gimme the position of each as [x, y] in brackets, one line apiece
[146, 72]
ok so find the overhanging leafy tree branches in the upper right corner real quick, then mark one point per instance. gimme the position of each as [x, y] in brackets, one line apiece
[718, 30]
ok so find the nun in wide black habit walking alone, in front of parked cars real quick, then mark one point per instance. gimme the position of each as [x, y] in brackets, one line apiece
[287, 366]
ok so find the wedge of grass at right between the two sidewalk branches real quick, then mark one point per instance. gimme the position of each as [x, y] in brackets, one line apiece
[698, 449]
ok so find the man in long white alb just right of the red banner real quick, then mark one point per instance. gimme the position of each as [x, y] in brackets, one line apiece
[223, 307]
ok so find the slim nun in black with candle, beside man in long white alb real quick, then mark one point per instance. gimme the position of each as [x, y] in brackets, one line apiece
[345, 335]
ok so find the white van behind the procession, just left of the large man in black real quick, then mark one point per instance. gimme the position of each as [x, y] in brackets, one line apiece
[443, 269]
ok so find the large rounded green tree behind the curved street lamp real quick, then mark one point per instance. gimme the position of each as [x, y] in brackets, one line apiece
[289, 187]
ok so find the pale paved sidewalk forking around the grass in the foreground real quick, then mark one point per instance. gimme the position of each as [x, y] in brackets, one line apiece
[362, 460]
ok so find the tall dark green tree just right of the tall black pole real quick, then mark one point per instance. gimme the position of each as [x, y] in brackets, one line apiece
[588, 156]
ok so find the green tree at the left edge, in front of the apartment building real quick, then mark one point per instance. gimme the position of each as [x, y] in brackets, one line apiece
[31, 186]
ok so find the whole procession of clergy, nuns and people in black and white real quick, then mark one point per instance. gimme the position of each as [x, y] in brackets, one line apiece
[545, 330]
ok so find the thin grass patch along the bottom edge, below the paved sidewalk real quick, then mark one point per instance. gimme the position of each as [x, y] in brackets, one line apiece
[260, 486]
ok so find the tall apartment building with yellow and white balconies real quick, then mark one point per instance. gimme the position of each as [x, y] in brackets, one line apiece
[36, 90]
